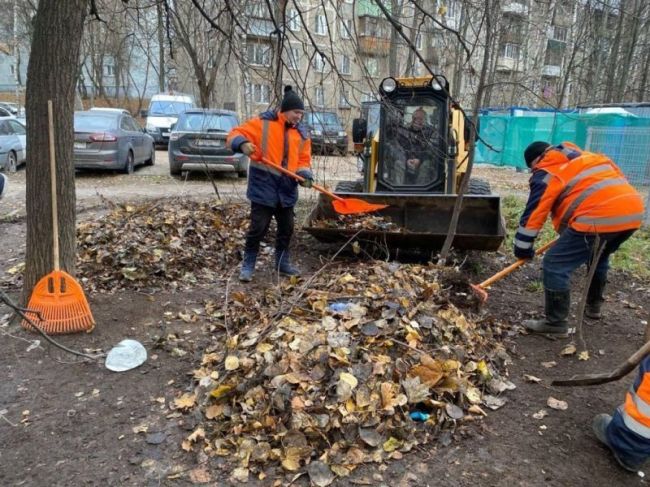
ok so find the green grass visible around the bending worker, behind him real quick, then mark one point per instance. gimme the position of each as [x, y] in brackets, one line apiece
[632, 257]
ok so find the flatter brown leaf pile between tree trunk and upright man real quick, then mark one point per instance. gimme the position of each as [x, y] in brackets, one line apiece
[165, 243]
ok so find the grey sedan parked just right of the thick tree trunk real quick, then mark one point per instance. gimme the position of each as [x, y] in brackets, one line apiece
[111, 139]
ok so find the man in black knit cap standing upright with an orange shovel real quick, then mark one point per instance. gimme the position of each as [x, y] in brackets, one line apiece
[278, 137]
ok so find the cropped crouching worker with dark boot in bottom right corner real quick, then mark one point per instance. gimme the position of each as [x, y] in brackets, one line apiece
[627, 433]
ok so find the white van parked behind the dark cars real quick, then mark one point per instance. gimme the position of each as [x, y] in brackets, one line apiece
[163, 111]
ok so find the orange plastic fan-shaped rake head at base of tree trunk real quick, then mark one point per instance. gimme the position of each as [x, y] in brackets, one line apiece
[61, 304]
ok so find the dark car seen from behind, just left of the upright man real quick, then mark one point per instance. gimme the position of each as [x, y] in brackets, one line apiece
[198, 143]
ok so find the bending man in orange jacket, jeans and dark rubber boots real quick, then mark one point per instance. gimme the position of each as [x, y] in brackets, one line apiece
[586, 195]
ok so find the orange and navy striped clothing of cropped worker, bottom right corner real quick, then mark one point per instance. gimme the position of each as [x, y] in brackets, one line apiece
[629, 431]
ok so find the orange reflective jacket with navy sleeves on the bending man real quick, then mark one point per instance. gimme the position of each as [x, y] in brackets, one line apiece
[581, 190]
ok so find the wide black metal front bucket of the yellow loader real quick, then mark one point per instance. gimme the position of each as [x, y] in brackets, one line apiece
[421, 222]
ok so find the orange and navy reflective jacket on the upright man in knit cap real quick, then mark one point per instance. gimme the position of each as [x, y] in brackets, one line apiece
[279, 143]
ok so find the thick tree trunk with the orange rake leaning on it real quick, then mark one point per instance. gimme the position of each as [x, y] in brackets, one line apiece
[58, 27]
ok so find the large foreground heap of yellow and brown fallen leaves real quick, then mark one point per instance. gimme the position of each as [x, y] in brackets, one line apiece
[358, 365]
